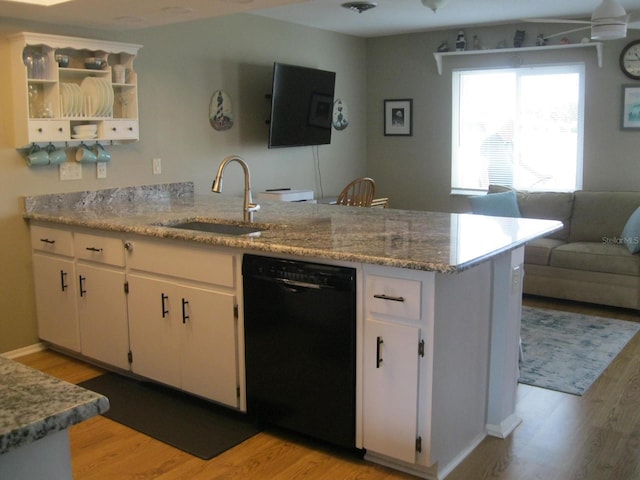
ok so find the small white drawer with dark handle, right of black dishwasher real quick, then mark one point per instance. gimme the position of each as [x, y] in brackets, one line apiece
[393, 296]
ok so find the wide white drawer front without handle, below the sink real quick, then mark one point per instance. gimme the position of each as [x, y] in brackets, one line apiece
[193, 262]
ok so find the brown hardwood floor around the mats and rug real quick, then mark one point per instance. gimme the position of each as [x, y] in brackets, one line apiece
[593, 437]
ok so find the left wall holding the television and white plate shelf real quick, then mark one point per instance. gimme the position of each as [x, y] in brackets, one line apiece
[179, 67]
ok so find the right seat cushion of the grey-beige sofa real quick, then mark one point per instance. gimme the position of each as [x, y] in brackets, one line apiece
[596, 257]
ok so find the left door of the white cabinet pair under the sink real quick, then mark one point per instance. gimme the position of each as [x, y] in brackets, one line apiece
[154, 322]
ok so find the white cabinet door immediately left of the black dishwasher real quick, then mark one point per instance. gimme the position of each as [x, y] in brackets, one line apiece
[208, 333]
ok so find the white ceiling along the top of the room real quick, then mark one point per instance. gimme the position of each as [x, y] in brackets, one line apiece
[388, 18]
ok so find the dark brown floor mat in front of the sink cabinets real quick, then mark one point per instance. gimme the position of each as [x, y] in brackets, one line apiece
[183, 421]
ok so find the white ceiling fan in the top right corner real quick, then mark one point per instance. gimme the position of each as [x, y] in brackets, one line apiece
[609, 21]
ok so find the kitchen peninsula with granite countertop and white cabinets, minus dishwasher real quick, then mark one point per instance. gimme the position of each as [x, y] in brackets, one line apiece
[451, 283]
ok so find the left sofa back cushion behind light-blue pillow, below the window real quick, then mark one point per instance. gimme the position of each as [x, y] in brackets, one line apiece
[546, 205]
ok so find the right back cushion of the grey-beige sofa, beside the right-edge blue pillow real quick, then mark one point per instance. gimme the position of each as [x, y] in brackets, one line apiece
[601, 216]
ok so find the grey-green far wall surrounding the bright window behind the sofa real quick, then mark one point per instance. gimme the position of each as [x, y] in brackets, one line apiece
[415, 171]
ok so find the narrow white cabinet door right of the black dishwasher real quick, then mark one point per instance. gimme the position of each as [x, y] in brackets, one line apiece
[390, 402]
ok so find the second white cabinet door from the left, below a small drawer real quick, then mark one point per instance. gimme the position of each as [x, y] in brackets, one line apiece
[102, 312]
